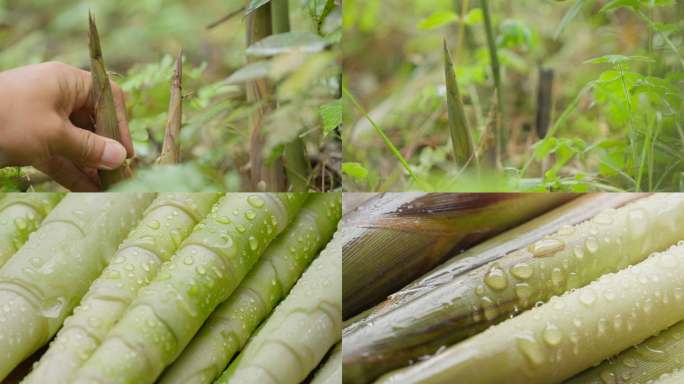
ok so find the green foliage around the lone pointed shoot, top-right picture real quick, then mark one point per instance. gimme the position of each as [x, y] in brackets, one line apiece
[617, 105]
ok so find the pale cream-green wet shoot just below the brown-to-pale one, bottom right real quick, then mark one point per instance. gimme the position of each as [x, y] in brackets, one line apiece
[552, 342]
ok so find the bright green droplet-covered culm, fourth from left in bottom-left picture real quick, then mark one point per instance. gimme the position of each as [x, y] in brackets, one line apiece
[204, 272]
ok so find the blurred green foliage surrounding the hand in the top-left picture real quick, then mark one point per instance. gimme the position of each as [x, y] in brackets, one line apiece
[140, 40]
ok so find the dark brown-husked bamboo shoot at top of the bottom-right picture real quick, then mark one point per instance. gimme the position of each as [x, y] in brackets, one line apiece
[392, 239]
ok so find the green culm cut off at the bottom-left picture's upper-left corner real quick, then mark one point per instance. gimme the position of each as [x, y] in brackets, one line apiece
[20, 215]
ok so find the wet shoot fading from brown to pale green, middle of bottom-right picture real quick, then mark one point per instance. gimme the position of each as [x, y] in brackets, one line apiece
[457, 302]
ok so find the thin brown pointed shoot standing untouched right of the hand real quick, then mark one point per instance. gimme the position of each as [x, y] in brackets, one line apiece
[170, 153]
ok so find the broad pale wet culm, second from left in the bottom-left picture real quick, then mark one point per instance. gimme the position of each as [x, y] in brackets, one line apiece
[47, 277]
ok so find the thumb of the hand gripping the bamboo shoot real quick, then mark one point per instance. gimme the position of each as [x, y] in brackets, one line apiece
[90, 150]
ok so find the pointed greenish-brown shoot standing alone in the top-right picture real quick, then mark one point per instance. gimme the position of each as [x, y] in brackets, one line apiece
[461, 138]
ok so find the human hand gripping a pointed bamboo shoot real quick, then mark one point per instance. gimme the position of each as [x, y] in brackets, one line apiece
[46, 120]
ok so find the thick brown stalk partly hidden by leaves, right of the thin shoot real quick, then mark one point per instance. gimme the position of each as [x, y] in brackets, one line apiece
[265, 177]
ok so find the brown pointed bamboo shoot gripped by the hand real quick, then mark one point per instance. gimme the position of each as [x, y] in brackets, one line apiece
[106, 122]
